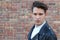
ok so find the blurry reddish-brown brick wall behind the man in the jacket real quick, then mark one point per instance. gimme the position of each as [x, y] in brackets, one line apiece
[16, 20]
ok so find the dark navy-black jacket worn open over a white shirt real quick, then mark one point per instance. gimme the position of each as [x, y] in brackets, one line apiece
[46, 33]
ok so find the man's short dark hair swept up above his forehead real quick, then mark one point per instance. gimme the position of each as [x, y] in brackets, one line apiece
[40, 5]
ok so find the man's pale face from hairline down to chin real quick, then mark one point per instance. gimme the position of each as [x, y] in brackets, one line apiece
[38, 15]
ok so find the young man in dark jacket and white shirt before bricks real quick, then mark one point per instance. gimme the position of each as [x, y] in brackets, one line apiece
[41, 30]
